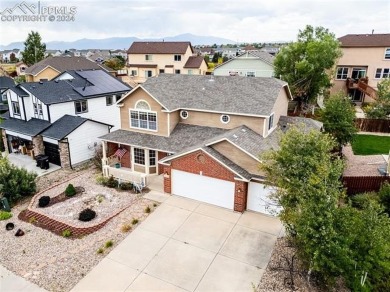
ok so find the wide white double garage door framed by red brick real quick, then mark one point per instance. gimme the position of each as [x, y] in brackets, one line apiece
[203, 188]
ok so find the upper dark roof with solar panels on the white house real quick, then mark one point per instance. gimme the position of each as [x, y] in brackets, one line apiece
[96, 83]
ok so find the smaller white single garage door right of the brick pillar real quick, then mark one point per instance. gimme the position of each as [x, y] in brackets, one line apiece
[259, 200]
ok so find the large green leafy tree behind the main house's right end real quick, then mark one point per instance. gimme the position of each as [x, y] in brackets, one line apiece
[304, 64]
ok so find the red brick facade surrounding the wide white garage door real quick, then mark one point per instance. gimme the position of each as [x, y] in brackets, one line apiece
[199, 162]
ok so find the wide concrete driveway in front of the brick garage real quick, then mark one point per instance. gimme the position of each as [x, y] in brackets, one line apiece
[186, 245]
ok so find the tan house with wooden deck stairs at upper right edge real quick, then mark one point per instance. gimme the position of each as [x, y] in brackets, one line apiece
[364, 63]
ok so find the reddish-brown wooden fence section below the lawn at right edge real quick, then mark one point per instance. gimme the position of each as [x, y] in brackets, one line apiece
[362, 184]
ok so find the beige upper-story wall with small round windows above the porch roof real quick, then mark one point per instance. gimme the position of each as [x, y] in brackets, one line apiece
[214, 120]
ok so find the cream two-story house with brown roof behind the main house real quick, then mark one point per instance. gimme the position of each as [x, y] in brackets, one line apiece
[148, 59]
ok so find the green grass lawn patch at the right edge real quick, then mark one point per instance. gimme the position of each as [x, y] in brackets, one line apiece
[370, 144]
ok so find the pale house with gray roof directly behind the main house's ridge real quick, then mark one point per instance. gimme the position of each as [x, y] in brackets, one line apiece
[251, 64]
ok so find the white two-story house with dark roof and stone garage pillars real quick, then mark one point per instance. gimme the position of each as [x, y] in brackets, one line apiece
[62, 118]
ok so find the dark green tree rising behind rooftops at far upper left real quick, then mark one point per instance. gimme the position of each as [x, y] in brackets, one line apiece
[34, 49]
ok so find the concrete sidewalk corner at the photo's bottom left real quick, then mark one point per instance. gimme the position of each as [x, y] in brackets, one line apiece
[9, 282]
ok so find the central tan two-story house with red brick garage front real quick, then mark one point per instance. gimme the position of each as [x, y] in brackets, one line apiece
[202, 134]
